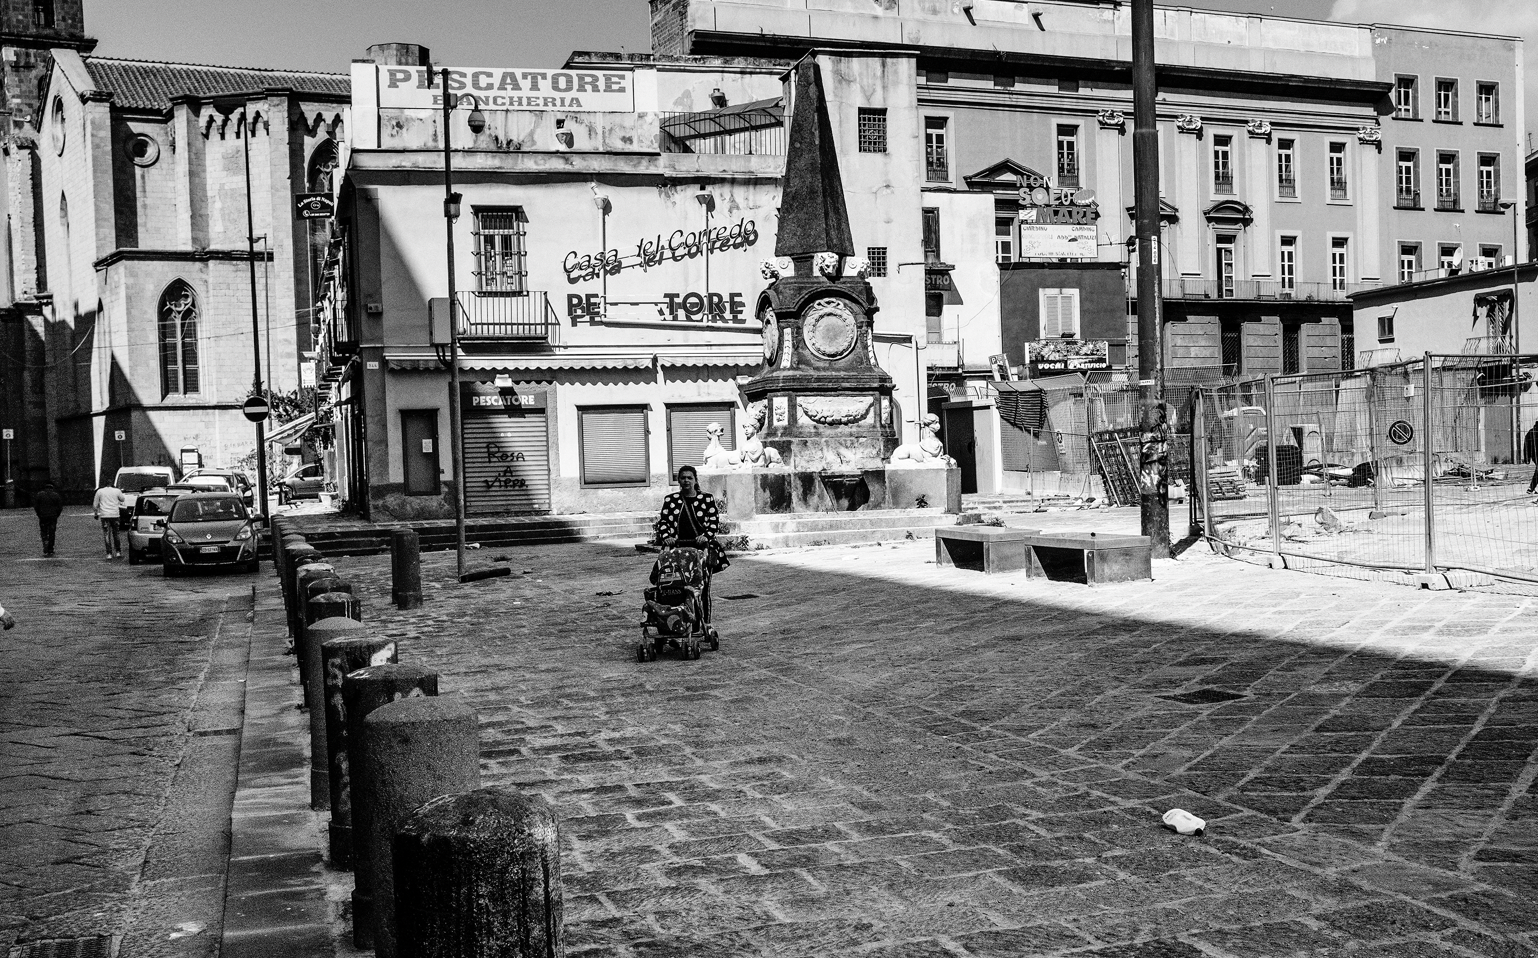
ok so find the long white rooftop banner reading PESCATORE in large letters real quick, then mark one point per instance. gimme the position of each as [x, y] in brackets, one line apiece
[501, 88]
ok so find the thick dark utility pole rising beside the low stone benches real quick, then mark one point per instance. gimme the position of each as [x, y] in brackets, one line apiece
[1154, 467]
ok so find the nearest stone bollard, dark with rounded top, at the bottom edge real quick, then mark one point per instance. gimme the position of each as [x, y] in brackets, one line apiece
[479, 874]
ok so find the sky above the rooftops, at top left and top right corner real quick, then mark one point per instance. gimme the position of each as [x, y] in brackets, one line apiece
[304, 35]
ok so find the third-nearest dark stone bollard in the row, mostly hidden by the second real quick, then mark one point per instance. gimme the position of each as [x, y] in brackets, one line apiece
[362, 693]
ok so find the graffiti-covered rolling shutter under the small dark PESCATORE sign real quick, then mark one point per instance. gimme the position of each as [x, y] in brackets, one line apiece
[507, 465]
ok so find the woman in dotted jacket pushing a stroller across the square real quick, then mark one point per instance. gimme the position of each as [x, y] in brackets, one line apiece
[679, 602]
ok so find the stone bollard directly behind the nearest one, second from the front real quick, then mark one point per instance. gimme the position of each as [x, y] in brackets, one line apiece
[414, 750]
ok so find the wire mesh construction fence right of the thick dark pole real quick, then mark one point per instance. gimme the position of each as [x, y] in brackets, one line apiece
[1414, 467]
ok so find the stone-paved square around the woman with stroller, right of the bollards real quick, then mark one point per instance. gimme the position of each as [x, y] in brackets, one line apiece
[897, 759]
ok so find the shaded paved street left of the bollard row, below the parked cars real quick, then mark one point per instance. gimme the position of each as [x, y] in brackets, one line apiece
[116, 745]
